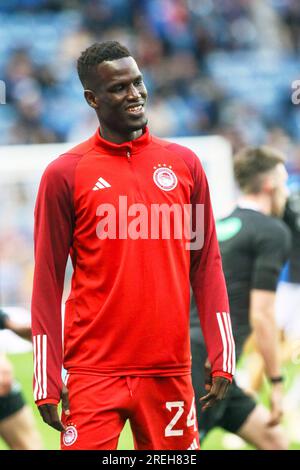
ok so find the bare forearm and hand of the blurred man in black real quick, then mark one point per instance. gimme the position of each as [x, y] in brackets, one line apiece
[266, 336]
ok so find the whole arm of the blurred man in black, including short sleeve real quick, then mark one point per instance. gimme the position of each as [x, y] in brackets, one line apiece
[272, 245]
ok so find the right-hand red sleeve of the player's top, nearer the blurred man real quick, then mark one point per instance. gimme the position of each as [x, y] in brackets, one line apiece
[208, 282]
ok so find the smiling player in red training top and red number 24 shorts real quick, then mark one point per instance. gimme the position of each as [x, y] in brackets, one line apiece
[126, 330]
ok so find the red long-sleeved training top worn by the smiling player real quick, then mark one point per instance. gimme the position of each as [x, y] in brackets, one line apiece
[128, 310]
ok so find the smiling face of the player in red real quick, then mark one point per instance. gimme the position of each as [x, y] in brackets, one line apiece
[120, 96]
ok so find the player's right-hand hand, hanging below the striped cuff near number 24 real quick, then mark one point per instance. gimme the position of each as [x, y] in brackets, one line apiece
[215, 386]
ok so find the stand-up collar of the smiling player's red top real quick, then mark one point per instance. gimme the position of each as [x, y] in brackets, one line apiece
[132, 146]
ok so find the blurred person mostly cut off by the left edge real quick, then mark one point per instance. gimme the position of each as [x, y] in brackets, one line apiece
[17, 427]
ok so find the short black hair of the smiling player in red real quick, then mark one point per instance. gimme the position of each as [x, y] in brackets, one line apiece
[97, 53]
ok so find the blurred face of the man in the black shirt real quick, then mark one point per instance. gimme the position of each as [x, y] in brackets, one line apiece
[279, 193]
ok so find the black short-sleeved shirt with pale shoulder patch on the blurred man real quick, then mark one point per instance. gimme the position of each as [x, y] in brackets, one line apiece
[254, 248]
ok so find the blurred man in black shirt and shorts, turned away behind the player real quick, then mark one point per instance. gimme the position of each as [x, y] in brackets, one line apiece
[254, 245]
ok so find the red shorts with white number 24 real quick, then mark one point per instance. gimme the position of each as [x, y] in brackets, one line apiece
[161, 412]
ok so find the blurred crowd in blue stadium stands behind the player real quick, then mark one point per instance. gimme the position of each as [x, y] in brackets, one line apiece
[211, 67]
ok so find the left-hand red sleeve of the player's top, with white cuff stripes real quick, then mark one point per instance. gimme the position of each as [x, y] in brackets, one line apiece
[54, 222]
